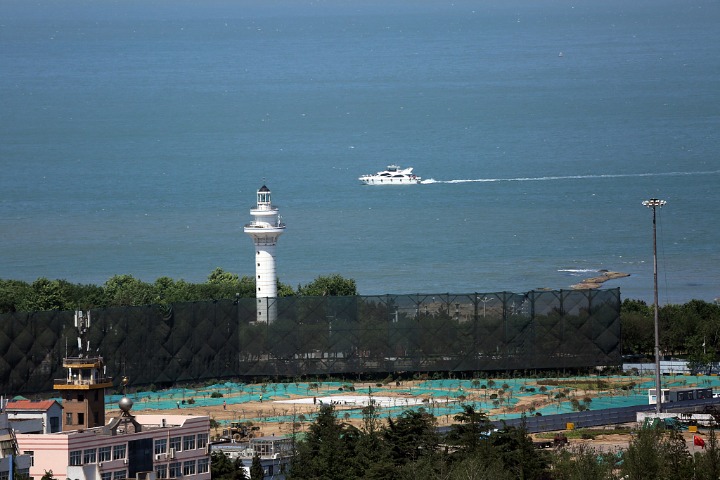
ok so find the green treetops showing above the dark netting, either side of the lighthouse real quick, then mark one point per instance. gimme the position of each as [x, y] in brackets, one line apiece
[126, 290]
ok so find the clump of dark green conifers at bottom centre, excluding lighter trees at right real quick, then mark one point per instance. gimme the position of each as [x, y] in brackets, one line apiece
[409, 447]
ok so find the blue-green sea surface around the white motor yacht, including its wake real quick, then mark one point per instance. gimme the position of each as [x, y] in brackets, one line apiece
[134, 135]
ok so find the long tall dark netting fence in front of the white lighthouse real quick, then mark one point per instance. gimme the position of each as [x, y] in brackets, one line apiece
[320, 335]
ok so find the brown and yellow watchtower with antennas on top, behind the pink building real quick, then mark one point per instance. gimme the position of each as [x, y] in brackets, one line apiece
[83, 388]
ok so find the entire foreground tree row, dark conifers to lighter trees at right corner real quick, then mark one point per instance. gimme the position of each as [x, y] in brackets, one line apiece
[410, 447]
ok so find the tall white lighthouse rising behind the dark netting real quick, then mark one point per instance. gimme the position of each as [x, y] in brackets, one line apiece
[265, 230]
